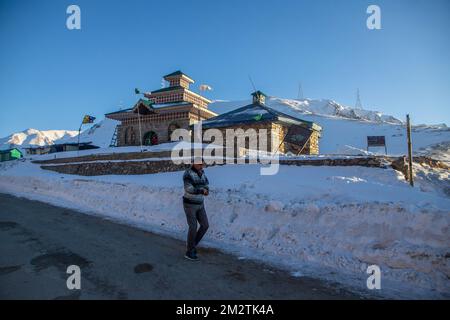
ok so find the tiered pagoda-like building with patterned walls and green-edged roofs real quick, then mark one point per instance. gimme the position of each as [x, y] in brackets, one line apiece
[155, 116]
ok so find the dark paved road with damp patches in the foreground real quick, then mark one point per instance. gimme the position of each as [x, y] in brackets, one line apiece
[38, 241]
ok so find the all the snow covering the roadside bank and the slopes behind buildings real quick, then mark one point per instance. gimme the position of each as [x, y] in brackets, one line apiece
[329, 222]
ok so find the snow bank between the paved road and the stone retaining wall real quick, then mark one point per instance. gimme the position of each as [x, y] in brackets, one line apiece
[329, 222]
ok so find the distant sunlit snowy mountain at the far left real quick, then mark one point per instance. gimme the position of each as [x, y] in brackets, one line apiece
[33, 137]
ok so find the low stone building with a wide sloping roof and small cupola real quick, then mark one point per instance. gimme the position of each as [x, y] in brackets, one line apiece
[284, 132]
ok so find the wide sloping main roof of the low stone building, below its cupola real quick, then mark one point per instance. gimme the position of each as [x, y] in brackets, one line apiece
[254, 113]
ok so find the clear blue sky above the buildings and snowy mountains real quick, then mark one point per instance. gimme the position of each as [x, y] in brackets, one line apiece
[51, 76]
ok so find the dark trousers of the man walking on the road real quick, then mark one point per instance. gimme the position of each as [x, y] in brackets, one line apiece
[194, 213]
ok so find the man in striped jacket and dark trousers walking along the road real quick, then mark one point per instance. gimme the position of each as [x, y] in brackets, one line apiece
[196, 186]
